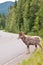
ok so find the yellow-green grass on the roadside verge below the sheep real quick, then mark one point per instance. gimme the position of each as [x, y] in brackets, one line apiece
[35, 59]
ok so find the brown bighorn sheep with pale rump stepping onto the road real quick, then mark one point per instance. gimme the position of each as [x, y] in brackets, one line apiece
[30, 40]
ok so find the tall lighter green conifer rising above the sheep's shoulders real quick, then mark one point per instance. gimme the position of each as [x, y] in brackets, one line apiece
[26, 16]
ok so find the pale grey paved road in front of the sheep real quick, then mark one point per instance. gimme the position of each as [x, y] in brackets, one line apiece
[11, 48]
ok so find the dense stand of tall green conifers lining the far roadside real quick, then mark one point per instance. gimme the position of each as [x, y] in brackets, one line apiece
[25, 15]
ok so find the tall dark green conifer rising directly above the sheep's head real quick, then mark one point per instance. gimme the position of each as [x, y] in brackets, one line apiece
[20, 10]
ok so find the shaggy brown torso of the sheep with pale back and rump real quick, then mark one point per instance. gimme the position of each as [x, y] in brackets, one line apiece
[33, 40]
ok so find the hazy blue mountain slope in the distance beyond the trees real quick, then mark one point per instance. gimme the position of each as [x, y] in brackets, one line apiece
[4, 7]
